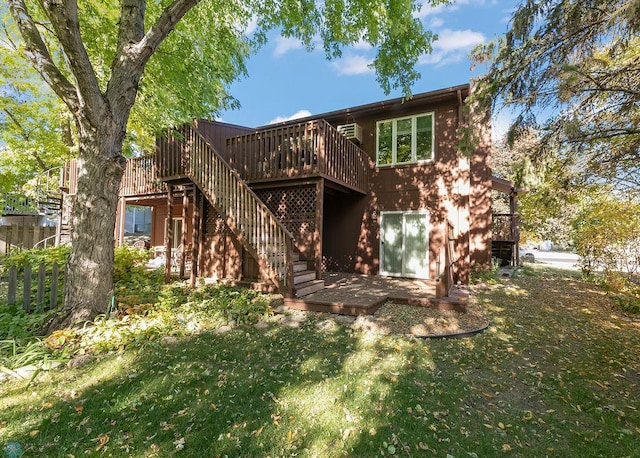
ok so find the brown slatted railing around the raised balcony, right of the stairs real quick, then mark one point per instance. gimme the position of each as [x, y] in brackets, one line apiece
[312, 148]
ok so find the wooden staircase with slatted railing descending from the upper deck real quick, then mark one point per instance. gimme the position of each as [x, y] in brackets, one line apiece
[262, 235]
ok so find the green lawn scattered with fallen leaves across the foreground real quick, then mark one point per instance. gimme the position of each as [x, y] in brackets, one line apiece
[556, 374]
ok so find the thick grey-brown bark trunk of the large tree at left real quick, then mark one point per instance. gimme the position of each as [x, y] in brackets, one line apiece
[88, 287]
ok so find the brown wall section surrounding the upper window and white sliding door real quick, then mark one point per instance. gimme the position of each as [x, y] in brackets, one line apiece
[441, 187]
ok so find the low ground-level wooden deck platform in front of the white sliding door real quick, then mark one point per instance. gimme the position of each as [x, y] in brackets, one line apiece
[352, 294]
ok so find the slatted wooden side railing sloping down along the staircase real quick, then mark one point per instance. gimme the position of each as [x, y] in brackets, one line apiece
[273, 248]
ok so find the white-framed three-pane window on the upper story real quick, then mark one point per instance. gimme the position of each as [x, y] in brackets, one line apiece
[405, 140]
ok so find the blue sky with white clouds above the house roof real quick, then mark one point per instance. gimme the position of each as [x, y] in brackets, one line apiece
[286, 81]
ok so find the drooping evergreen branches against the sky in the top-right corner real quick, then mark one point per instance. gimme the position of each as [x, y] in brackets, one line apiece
[572, 70]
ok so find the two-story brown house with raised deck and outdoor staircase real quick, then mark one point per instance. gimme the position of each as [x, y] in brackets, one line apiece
[377, 189]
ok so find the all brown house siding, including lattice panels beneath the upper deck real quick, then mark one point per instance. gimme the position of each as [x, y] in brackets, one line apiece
[452, 188]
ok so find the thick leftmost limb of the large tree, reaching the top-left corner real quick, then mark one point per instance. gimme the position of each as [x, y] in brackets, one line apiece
[37, 52]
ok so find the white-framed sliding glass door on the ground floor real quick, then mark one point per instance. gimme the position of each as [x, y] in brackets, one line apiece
[404, 244]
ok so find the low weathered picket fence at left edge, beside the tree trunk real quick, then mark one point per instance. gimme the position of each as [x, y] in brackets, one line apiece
[37, 287]
